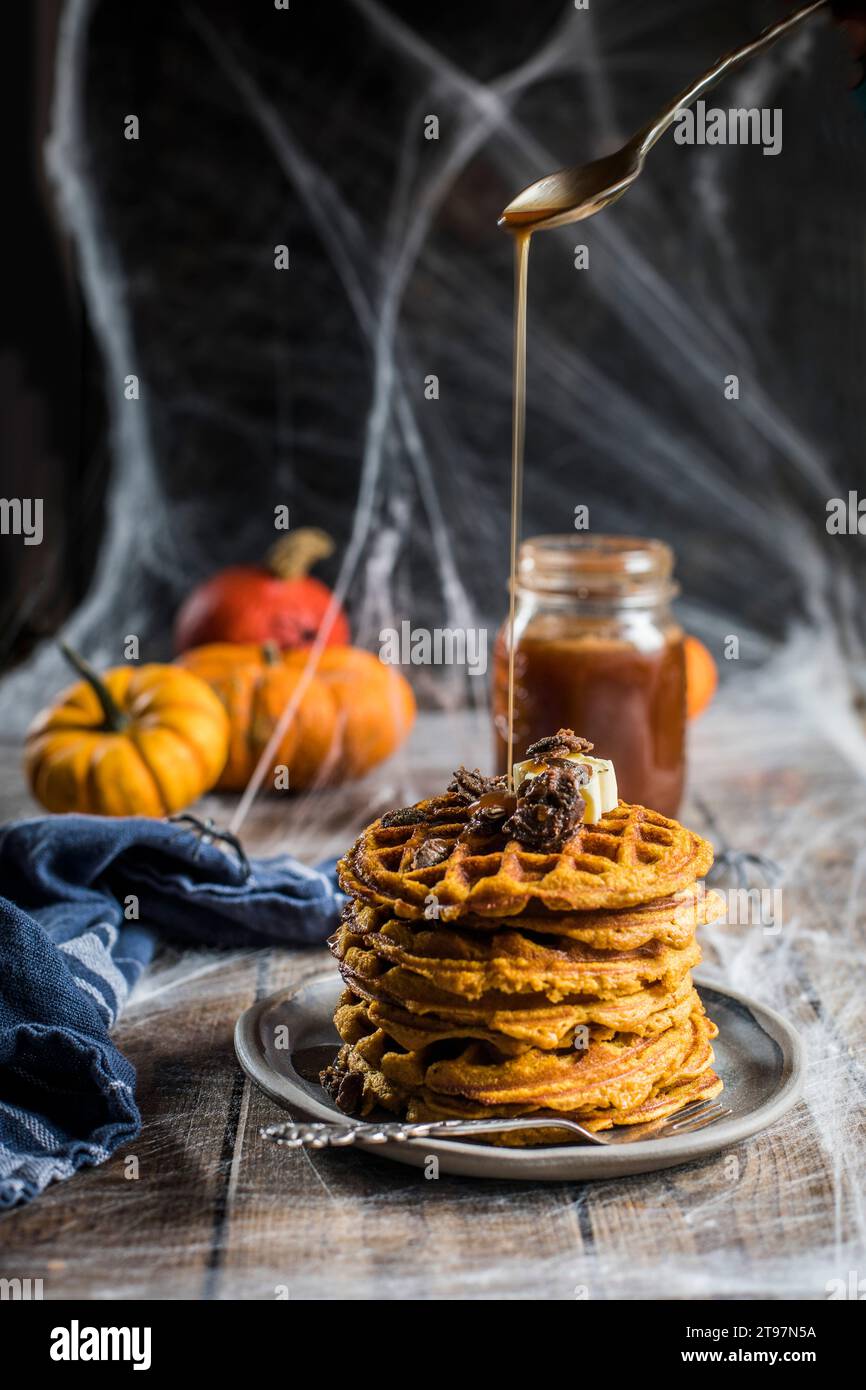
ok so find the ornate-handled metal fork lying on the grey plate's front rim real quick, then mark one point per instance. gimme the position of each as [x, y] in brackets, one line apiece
[333, 1135]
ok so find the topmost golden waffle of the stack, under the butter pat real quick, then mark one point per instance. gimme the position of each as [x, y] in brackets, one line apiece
[632, 857]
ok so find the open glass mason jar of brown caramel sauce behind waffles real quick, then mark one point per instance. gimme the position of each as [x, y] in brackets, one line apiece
[597, 650]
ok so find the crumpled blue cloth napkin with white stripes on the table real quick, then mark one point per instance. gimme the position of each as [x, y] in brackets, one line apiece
[83, 900]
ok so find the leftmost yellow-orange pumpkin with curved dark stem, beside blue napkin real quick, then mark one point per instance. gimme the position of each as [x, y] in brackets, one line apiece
[137, 742]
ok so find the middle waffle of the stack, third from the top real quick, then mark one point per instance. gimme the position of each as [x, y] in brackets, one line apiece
[509, 963]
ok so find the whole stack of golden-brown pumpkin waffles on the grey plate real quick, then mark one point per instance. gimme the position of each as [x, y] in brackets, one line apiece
[486, 978]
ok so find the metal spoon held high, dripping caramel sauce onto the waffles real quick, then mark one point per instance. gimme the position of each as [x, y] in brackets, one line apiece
[572, 195]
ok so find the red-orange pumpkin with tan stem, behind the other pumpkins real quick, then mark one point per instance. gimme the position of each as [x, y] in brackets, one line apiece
[280, 603]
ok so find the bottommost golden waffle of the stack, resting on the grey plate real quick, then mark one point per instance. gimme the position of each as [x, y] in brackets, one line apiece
[612, 1081]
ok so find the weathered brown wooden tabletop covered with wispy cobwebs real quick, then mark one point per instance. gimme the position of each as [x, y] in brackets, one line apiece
[213, 1213]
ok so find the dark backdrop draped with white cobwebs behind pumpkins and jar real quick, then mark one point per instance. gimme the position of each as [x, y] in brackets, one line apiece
[263, 127]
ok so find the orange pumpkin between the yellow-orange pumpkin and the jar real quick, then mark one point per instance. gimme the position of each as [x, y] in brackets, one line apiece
[354, 711]
